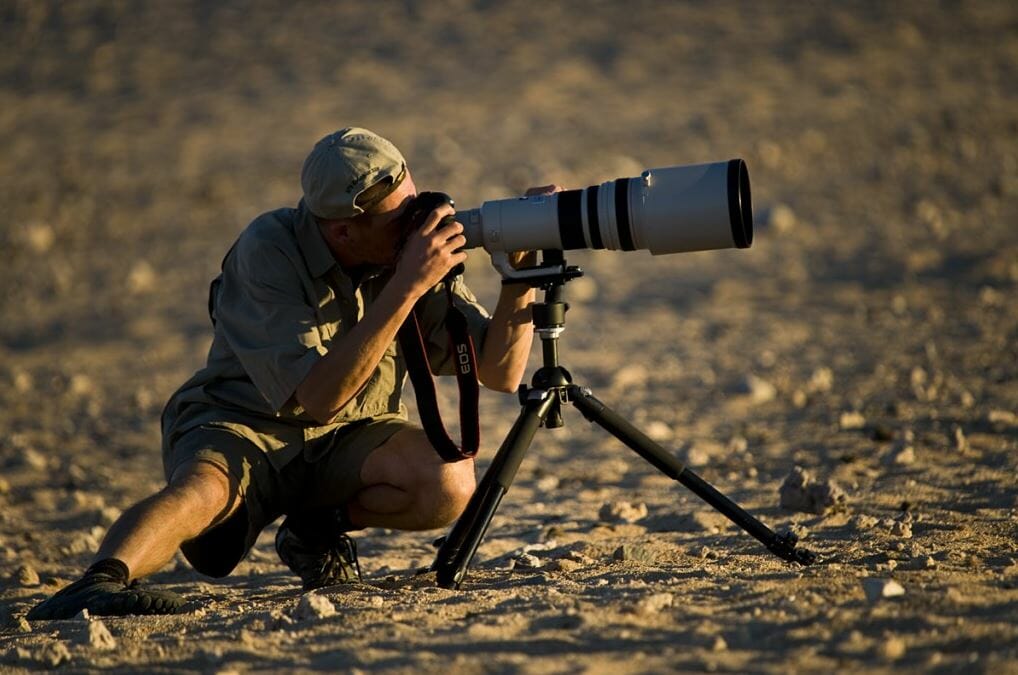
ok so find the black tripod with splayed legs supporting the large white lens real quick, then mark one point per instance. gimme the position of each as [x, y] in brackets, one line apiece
[552, 385]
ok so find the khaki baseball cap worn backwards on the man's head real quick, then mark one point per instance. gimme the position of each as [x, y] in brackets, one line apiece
[343, 166]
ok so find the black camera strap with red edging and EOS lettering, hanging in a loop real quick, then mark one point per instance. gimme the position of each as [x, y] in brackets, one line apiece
[413, 345]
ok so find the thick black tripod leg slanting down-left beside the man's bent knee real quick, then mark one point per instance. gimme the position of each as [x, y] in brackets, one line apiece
[458, 551]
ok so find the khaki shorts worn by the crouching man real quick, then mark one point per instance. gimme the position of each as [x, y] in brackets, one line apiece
[300, 487]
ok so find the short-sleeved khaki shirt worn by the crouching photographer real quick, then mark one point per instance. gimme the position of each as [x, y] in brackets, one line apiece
[277, 307]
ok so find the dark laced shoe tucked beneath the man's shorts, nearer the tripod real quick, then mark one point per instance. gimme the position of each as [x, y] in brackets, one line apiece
[319, 566]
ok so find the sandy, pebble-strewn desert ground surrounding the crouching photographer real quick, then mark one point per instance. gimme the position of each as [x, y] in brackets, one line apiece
[870, 336]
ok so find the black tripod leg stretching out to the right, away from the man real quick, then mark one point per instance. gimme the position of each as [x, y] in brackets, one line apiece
[782, 546]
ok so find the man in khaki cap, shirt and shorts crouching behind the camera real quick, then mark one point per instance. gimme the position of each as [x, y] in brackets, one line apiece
[298, 412]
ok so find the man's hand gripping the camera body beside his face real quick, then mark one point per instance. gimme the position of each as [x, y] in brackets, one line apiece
[430, 253]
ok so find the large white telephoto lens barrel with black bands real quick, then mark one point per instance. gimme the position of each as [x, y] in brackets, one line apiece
[665, 211]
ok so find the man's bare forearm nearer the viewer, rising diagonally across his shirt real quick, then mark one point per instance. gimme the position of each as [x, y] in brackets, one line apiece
[352, 359]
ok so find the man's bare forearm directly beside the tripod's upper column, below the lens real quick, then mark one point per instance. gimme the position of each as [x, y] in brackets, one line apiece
[507, 345]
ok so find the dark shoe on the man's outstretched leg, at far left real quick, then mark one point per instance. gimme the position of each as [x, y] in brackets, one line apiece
[105, 595]
